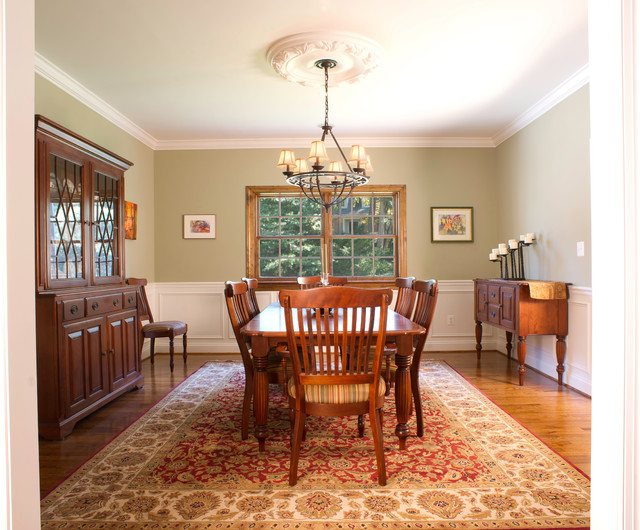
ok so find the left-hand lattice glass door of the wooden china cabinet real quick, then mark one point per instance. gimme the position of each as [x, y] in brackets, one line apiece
[65, 221]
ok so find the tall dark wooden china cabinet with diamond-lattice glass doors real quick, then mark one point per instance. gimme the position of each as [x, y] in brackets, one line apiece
[86, 315]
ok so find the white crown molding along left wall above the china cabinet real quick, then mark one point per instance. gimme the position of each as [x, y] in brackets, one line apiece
[55, 75]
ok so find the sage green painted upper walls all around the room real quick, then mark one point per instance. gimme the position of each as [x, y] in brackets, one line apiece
[536, 181]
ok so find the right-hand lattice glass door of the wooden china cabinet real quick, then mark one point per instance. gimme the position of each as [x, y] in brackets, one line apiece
[106, 216]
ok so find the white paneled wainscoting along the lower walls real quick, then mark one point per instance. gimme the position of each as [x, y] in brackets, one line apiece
[202, 305]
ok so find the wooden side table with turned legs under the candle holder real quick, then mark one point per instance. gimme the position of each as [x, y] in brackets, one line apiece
[509, 305]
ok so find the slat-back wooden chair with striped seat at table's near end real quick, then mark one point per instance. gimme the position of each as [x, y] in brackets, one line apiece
[338, 371]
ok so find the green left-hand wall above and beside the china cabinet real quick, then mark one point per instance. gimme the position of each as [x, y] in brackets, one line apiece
[57, 105]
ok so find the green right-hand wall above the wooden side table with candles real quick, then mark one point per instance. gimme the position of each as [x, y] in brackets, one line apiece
[543, 187]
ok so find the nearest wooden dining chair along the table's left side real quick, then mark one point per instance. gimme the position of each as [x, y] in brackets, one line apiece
[239, 314]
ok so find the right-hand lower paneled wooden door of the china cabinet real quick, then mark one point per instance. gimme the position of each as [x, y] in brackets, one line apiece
[123, 344]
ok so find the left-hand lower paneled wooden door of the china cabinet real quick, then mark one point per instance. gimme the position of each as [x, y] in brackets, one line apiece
[84, 364]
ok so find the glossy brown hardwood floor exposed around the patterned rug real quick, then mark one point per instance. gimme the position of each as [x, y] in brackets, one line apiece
[560, 417]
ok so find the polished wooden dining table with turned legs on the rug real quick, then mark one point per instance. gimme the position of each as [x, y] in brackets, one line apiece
[267, 329]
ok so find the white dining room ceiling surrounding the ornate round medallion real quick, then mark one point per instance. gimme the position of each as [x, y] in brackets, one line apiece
[195, 72]
